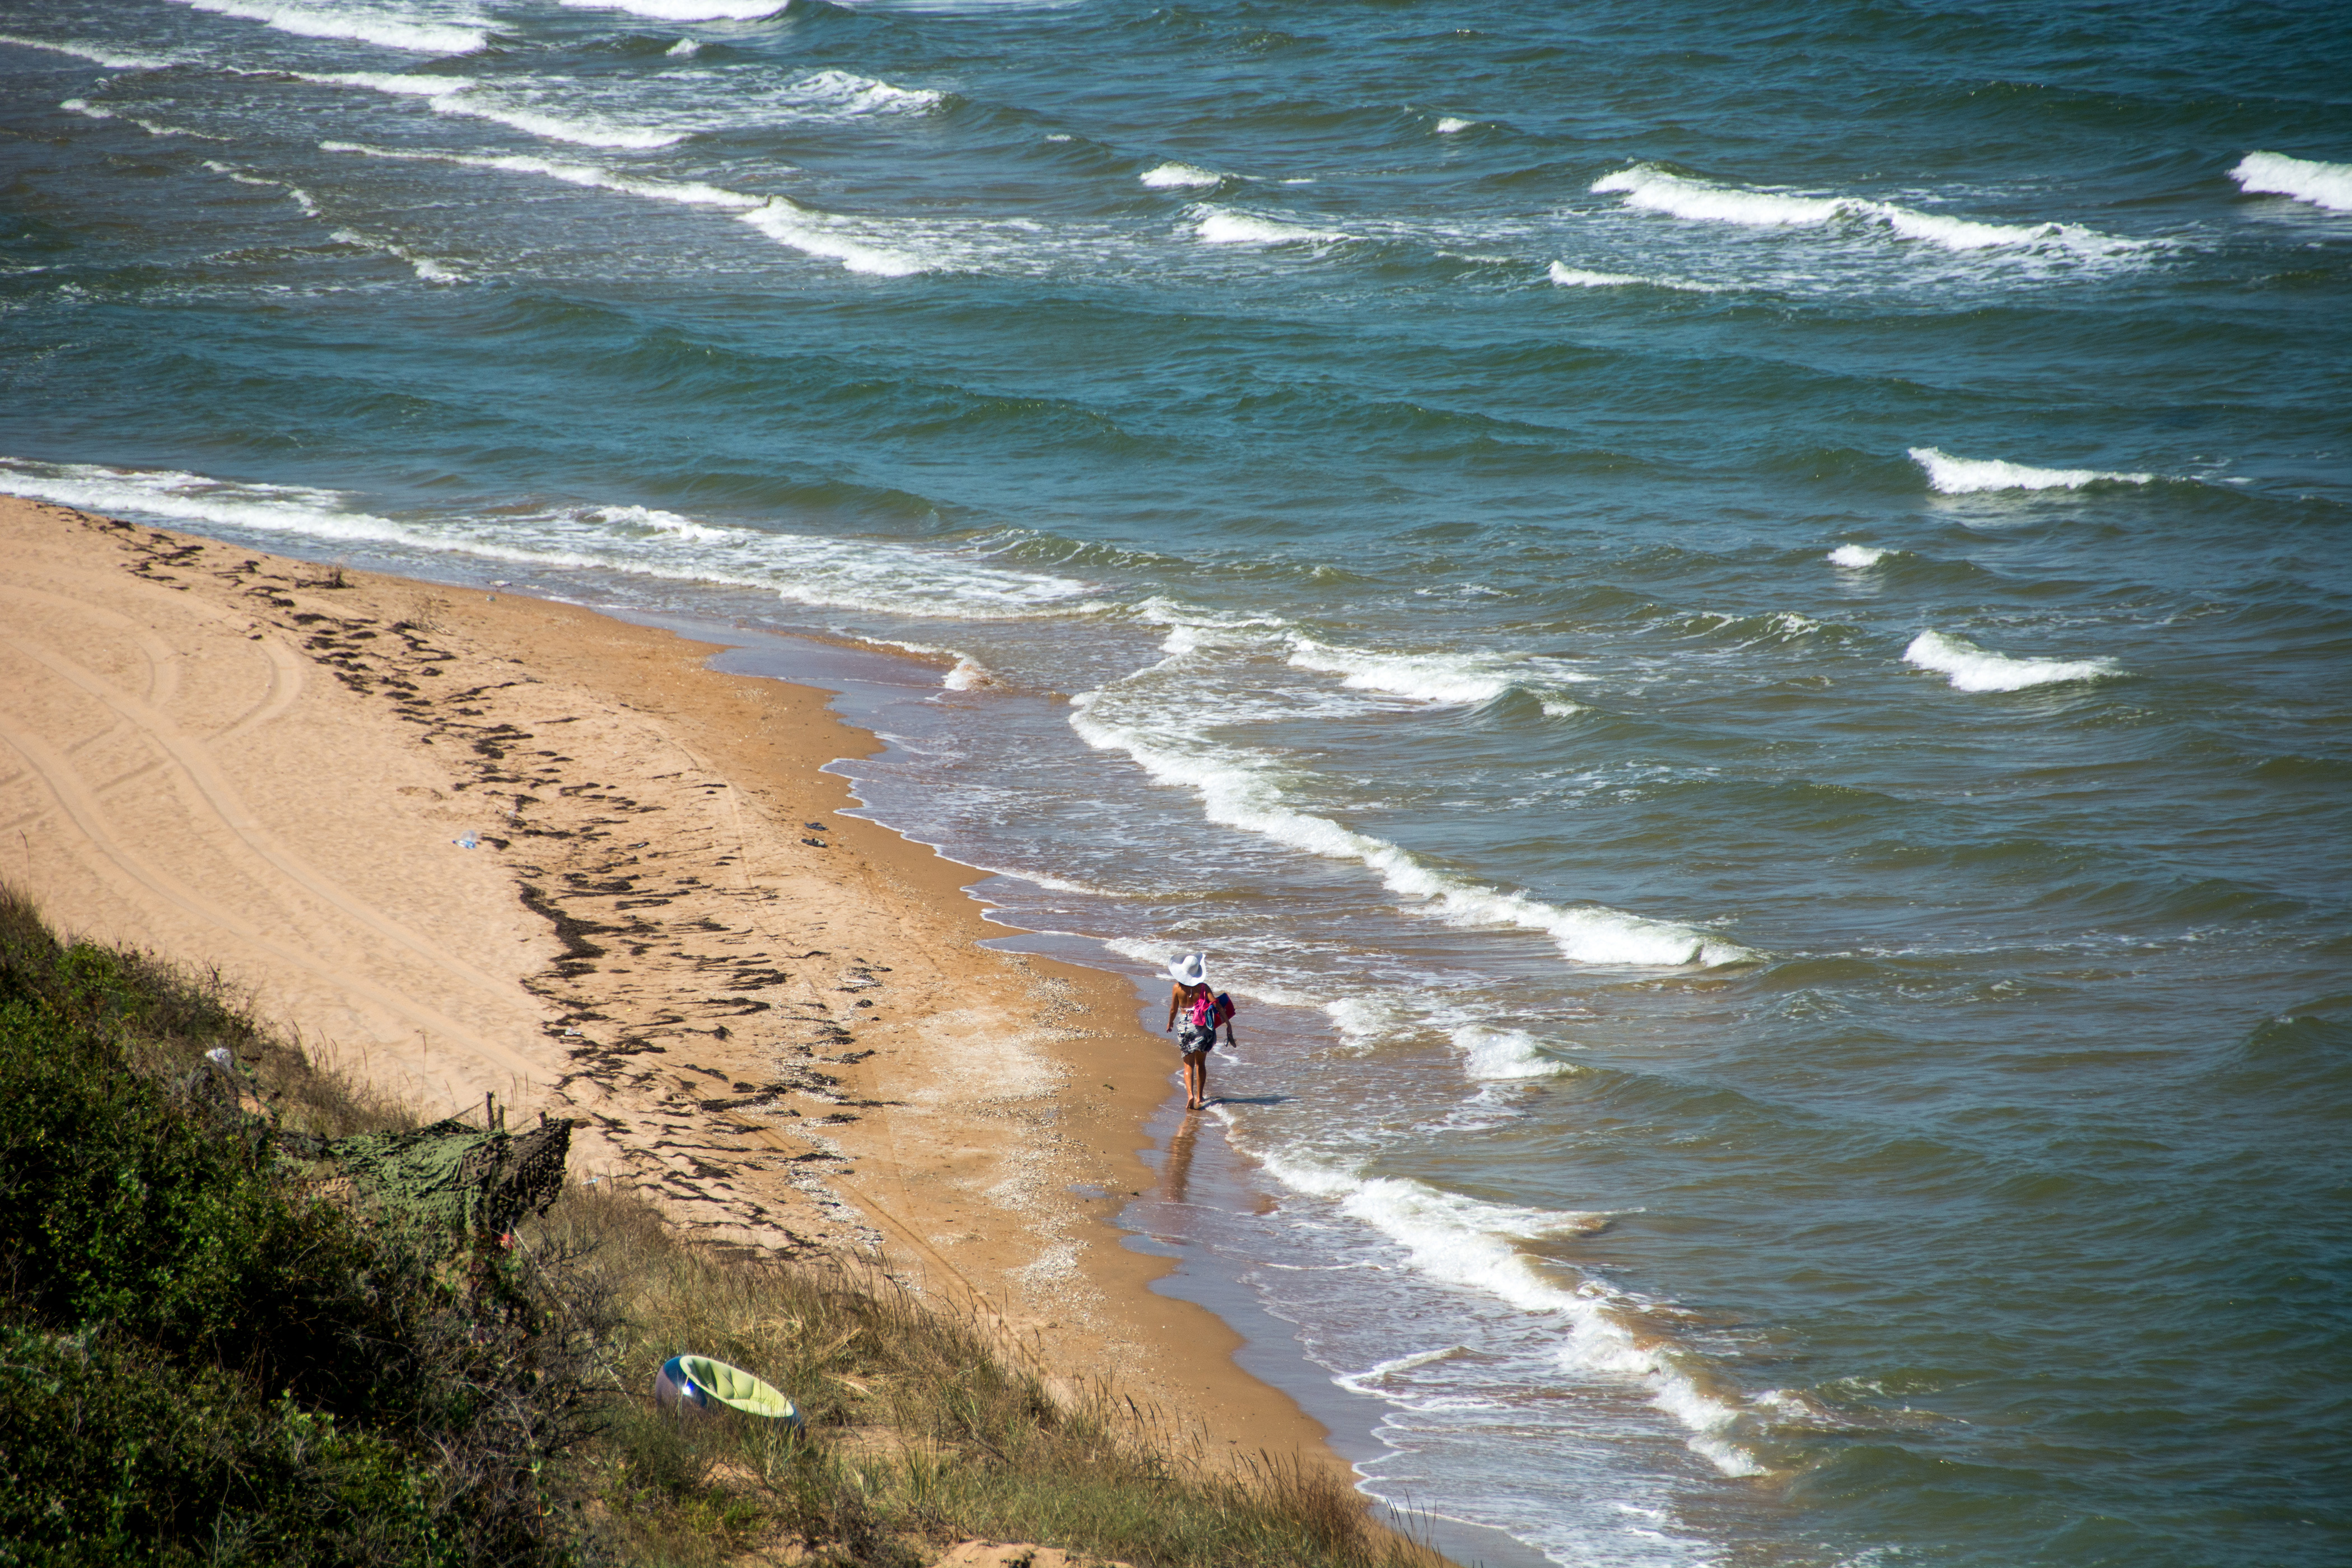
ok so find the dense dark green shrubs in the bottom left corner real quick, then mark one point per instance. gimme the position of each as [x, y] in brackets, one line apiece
[199, 1360]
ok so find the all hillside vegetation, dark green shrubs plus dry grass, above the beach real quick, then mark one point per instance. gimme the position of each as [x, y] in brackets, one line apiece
[208, 1362]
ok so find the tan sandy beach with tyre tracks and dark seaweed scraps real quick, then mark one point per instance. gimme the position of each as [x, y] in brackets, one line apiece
[775, 1021]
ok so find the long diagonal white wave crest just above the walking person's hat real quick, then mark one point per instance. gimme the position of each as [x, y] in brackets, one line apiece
[1241, 789]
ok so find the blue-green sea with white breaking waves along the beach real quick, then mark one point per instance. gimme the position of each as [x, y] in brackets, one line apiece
[1730, 622]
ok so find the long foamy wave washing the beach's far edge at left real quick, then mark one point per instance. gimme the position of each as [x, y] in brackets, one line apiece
[627, 540]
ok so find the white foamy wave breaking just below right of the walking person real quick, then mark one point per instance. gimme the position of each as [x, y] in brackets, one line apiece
[1469, 1245]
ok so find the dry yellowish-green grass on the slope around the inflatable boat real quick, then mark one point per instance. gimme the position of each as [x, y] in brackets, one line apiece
[918, 1430]
